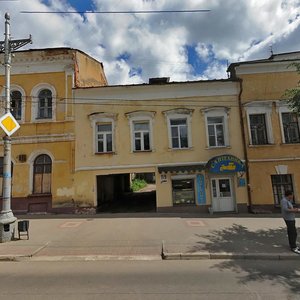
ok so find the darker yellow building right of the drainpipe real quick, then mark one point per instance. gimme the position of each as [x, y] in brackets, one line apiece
[271, 129]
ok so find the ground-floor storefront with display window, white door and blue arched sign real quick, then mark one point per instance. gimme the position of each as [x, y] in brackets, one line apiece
[216, 186]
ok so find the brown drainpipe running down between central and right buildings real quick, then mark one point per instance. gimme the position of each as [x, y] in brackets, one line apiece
[244, 144]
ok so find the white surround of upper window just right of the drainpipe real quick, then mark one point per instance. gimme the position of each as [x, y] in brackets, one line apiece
[260, 107]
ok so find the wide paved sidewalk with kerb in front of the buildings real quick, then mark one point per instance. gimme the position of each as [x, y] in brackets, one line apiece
[148, 237]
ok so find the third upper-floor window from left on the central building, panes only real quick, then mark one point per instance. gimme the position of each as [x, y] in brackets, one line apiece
[179, 133]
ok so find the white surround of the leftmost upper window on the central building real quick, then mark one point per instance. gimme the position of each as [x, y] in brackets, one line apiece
[103, 118]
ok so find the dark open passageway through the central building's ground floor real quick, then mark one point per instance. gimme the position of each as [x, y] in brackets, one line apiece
[115, 194]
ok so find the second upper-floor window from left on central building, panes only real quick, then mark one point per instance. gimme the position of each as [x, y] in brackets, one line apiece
[141, 134]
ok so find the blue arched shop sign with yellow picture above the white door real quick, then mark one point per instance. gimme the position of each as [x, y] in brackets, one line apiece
[225, 164]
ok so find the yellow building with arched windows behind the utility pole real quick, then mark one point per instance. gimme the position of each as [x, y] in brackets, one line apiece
[42, 102]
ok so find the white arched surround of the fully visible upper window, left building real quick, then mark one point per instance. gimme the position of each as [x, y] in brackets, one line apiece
[35, 103]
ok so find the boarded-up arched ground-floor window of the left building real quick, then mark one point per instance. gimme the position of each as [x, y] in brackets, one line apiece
[42, 168]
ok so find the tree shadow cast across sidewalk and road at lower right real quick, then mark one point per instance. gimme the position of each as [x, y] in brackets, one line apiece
[239, 239]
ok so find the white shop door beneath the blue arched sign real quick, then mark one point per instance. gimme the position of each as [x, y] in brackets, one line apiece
[222, 196]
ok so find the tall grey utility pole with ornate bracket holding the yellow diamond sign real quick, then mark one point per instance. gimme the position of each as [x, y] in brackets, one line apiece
[7, 219]
